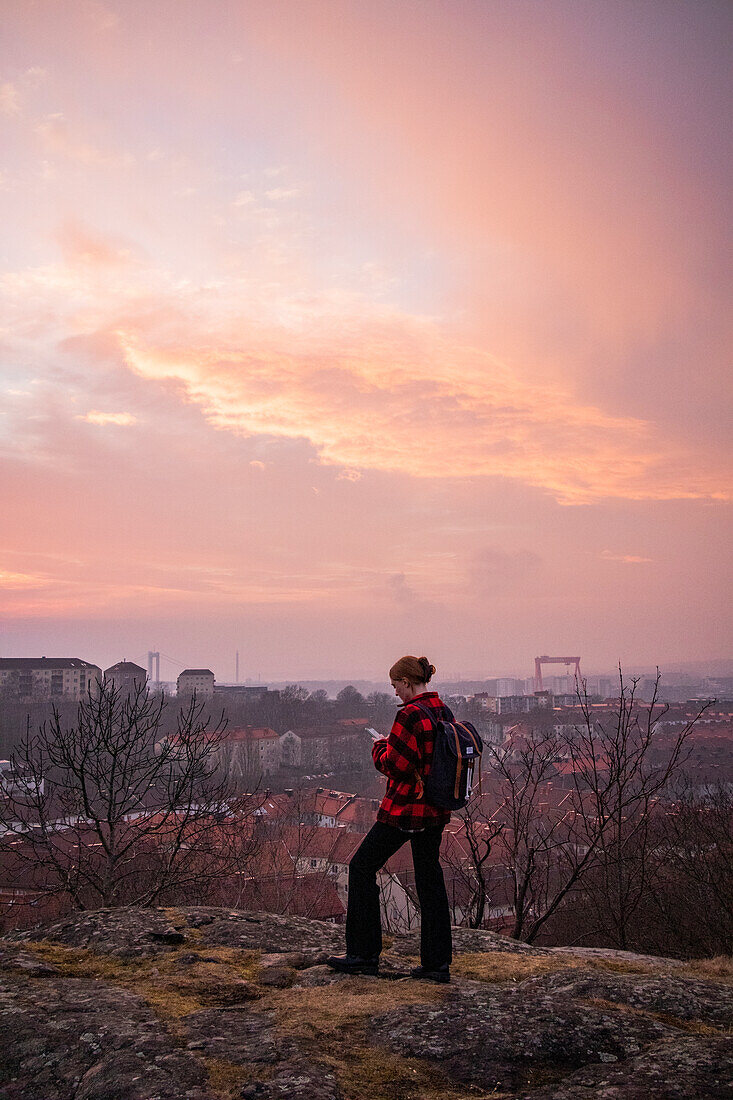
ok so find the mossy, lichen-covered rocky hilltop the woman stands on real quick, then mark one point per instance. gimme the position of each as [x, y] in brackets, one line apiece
[200, 1004]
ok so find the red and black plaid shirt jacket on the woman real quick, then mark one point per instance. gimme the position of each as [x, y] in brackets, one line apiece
[406, 757]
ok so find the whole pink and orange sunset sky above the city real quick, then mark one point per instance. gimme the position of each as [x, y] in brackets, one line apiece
[335, 332]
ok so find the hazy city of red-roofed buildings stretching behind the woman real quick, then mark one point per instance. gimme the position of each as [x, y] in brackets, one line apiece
[298, 764]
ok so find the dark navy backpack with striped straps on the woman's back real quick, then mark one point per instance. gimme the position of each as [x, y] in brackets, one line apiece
[457, 749]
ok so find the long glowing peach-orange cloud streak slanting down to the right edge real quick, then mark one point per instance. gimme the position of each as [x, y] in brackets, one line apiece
[392, 393]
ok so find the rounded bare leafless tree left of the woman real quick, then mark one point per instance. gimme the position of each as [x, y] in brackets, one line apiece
[105, 813]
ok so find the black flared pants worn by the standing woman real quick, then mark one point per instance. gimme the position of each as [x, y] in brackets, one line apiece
[364, 926]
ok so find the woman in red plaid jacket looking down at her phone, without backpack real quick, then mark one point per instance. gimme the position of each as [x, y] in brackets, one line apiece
[406, 758]
